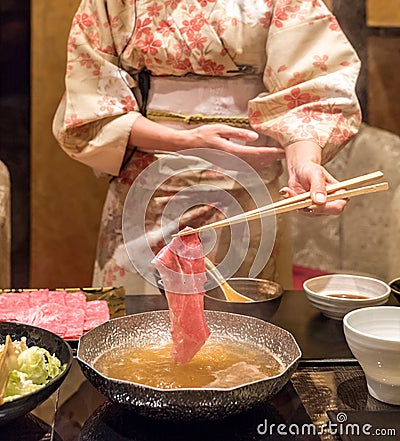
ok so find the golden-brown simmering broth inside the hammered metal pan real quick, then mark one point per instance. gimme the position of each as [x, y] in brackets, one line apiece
[219, 364]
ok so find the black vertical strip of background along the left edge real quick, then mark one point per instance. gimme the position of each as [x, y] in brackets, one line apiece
[15, 126]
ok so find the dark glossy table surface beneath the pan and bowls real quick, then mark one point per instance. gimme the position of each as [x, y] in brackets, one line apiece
[325, 394]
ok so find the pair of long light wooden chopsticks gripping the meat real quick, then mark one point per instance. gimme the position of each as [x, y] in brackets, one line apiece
[299, 201]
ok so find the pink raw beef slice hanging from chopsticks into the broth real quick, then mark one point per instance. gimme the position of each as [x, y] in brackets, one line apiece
[182, 269]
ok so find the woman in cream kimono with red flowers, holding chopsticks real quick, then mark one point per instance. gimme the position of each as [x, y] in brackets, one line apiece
[264, 80]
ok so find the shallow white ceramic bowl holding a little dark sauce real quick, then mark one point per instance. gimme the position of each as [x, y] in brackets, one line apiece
[319, 291]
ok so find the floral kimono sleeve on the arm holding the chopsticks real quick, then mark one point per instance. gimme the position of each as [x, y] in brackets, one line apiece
[310, 74]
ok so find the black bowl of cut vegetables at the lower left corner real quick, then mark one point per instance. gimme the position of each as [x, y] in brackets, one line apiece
[38, 363]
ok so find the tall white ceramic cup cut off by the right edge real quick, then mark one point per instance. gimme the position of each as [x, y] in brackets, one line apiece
[373, 336]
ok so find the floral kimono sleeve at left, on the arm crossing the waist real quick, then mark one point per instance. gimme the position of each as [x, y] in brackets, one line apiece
[94, 118]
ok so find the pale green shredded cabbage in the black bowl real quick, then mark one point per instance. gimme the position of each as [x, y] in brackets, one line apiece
[36, 367]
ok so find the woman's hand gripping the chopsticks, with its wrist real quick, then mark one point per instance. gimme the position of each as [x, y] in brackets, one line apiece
[307, 174]
